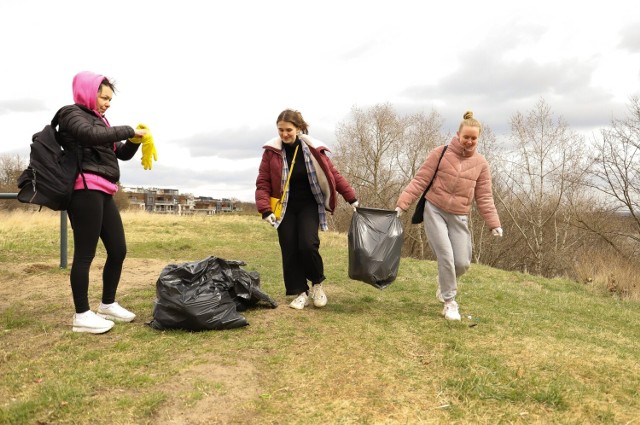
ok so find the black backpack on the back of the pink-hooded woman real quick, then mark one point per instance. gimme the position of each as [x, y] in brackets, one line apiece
[50, 177]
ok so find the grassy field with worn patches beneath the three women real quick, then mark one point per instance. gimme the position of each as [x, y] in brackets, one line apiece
[528, 350]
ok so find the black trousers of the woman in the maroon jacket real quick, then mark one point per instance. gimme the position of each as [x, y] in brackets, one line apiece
[300, 244]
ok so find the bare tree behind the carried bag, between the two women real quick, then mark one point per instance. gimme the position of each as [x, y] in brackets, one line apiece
[380, 152]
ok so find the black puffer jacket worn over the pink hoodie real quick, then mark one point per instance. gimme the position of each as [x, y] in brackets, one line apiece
[80, 127]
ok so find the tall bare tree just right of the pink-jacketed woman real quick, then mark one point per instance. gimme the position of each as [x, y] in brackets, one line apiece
[544, 169]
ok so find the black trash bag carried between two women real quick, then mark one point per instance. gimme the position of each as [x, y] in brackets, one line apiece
[375, 246]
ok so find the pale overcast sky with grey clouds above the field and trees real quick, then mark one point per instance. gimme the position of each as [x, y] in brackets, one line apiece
[209, 78]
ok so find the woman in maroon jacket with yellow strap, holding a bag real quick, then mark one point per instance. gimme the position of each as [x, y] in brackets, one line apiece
[310, 193]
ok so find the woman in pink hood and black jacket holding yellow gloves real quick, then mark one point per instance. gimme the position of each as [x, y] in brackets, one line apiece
[84, 129]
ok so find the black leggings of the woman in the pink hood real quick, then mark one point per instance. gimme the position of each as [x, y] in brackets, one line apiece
[93, 214]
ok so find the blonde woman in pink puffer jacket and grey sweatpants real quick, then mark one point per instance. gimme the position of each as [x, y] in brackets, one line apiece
[462, 176]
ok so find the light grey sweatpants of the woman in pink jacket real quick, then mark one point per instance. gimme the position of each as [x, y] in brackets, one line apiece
[450, 240]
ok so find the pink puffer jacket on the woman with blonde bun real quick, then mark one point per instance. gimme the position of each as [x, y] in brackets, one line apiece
[459, 181]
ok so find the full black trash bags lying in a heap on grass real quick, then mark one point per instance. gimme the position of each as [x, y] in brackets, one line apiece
[206, 295]
